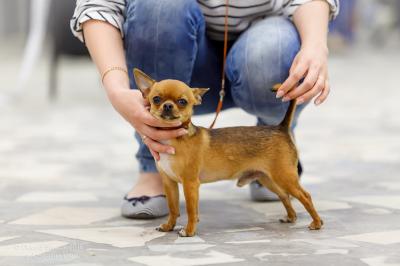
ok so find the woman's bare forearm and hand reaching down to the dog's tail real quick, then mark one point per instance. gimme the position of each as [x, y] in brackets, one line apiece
[311, 63]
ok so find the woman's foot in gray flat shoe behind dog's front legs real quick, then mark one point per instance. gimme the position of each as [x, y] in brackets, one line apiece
[146, 200]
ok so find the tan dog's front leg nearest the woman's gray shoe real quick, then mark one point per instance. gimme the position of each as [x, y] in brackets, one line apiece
[172, 193]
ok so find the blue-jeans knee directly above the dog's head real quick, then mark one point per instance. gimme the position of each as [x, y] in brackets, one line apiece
[161, 37]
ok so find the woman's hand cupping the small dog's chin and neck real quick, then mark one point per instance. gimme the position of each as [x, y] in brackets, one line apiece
[135, 109]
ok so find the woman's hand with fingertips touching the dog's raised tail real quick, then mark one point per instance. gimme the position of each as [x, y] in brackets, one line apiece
[310, 67]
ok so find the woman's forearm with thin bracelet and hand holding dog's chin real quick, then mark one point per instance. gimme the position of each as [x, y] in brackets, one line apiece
[109, 52]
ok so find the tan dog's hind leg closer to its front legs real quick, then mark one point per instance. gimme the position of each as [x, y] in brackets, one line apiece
[283, 196]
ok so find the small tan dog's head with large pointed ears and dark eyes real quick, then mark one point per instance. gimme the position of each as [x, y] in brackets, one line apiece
[170, 100]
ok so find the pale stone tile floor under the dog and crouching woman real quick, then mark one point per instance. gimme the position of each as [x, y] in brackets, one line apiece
[64, 168]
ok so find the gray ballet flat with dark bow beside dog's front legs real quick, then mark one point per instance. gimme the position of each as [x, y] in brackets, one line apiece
[144, 207]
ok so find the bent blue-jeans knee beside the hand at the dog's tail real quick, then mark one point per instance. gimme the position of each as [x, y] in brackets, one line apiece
[260, 58]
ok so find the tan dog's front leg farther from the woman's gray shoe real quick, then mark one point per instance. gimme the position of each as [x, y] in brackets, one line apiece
[191, 190]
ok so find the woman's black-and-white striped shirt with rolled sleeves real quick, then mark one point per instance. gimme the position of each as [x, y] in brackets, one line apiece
[242, 13]
